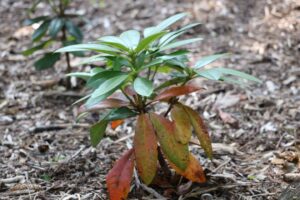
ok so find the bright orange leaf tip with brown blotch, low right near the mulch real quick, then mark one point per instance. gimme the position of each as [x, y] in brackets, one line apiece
[193, 172]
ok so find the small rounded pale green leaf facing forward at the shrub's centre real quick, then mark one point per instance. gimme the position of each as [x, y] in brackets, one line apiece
[143, 86]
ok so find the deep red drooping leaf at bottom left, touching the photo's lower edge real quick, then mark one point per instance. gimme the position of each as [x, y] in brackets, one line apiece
[119, 177]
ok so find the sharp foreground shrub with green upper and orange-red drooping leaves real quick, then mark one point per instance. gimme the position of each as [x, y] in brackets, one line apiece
[125, 87]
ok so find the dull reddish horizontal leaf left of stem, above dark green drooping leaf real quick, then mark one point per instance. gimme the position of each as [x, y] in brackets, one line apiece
[107, 103]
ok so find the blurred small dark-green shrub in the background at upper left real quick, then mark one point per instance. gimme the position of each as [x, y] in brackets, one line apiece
[58, 27]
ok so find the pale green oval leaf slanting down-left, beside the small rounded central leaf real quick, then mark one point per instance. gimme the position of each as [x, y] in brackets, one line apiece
[109, 85]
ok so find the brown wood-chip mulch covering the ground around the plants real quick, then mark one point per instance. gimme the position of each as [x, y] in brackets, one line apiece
[44, 155]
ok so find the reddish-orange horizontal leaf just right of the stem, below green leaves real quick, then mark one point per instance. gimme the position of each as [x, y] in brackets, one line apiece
[176, 91]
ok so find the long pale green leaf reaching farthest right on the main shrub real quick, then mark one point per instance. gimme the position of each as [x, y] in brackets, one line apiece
[218, 73]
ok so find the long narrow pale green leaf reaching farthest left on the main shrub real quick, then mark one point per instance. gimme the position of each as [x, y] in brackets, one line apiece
[89, 47]
